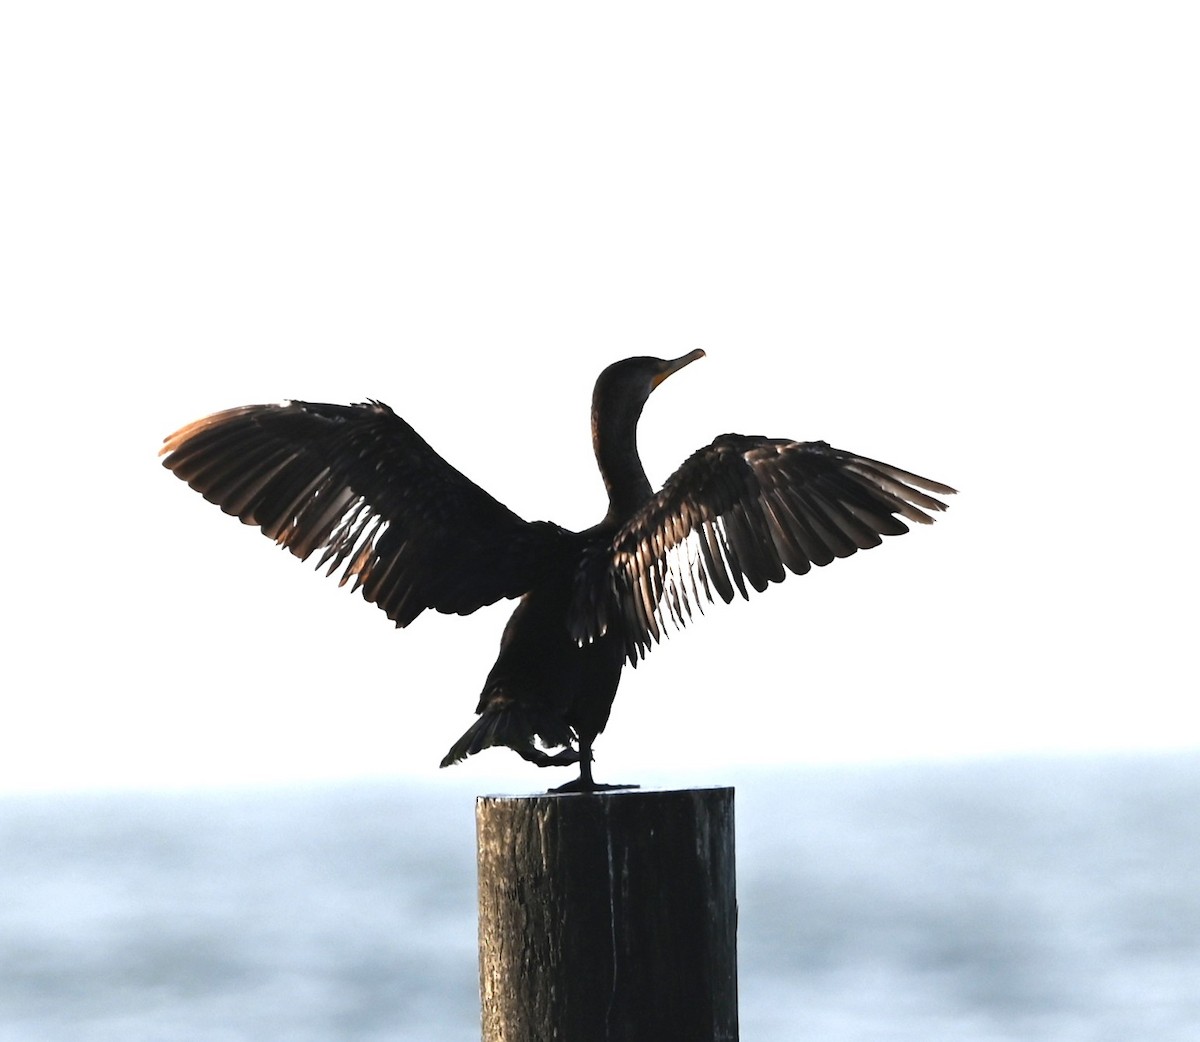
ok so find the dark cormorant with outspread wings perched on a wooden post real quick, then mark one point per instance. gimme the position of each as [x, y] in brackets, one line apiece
[362, 487]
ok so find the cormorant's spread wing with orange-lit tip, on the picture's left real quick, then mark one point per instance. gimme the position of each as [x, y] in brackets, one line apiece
[362, 487]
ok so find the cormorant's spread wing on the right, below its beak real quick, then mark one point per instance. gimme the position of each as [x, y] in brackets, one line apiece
[742, 513]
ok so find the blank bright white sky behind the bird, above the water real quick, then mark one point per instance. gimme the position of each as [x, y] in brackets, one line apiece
[957, 237]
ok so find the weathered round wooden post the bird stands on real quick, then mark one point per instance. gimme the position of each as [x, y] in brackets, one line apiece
[608, 918]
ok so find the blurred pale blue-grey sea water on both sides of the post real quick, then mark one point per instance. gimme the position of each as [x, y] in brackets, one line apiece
[1033, 900]
